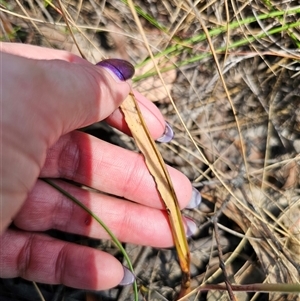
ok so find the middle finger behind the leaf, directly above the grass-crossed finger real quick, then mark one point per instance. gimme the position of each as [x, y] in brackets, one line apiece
[111, 169]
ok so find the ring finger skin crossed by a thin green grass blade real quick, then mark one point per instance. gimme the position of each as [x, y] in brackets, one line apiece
[46, 208]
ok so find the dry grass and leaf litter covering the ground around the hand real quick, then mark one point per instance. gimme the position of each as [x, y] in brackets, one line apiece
[237, 138]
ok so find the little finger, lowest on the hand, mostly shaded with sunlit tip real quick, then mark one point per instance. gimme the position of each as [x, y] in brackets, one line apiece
[43, 259]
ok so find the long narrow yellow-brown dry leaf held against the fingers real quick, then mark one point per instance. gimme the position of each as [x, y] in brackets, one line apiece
[158, 170]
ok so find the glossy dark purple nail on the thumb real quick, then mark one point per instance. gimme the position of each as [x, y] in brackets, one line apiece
[121, 68]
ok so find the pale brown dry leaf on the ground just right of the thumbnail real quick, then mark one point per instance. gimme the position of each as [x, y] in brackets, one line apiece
[152, 87]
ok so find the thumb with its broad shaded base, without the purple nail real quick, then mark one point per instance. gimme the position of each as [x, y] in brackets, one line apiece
[43, 99]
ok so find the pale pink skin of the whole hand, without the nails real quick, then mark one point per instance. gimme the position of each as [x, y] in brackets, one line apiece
[45, 96]
